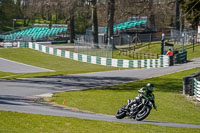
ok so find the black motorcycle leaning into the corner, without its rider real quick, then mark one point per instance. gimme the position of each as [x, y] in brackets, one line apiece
[136, 110]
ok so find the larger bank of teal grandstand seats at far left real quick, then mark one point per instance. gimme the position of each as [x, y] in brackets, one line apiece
[36, 33]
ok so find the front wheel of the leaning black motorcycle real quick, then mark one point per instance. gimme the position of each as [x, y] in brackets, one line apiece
[141, 115]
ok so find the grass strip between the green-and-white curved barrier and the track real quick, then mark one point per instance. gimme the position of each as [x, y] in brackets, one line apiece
[62, 66]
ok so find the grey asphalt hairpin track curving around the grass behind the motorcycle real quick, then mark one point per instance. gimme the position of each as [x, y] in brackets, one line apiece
[18, 95]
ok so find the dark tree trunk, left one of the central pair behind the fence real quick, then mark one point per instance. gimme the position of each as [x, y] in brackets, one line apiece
[95, 21]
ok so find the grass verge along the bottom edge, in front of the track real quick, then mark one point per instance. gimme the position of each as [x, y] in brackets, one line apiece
[12, 122]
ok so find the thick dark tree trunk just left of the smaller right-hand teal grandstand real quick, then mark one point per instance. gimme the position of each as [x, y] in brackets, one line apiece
[111, 13]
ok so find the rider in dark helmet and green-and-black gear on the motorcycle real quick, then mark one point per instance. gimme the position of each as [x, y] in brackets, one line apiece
[145, 93]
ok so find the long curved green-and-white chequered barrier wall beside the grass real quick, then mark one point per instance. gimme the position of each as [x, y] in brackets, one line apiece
[147, 63]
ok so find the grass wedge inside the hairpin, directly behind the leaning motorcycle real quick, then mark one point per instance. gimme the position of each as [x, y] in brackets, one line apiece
[172, 105]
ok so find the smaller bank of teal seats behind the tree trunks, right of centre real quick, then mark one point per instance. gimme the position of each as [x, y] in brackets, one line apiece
[127, 25]
